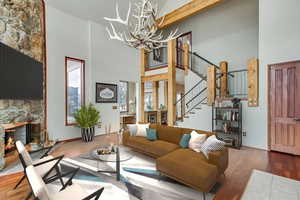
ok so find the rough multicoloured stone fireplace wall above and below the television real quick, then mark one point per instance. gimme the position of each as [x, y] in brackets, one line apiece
[21, 27]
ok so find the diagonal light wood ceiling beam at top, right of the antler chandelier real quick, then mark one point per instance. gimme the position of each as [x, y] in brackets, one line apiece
[187, 10]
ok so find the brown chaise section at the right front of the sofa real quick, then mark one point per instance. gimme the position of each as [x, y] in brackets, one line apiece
[190, 167]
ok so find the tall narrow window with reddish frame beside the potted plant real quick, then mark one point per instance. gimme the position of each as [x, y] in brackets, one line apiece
[75, 94]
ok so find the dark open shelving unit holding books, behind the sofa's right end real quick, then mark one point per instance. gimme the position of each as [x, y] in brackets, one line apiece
[227, 125]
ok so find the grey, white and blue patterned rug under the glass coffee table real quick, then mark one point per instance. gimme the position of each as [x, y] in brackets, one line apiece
[140, 179]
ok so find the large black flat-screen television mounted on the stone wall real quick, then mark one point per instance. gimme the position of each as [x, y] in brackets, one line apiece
[21, 77]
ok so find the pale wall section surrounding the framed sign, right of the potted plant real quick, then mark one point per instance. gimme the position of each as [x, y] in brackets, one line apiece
[111, 62]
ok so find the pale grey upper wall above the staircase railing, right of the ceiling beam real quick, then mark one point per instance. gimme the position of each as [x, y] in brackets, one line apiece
[226, 32]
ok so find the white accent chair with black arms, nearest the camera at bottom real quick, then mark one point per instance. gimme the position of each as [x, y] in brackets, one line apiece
[68, 191]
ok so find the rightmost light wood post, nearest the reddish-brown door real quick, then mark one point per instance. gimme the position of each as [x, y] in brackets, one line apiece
[253, 82]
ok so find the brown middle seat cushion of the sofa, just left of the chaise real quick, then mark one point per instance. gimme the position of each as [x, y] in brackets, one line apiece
[161, 148]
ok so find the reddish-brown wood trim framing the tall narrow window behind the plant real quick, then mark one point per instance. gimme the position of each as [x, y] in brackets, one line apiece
[66, 86]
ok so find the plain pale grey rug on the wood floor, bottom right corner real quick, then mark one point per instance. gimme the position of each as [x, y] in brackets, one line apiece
[266, 186]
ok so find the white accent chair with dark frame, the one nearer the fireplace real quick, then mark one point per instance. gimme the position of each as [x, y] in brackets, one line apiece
[47, 167]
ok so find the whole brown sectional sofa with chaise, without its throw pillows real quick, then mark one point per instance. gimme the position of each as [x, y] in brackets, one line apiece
[183, 165]
